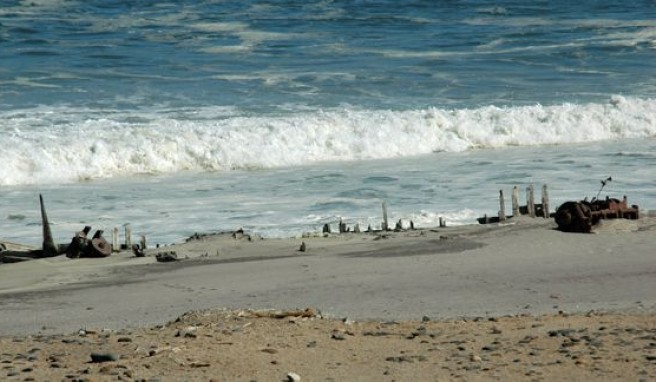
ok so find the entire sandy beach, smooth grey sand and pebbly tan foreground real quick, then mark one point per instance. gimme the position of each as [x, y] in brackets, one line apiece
[518, 301]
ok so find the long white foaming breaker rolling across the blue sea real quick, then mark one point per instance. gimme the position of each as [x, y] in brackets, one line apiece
[61, 145]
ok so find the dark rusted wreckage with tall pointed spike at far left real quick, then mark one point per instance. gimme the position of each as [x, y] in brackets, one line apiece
[80, 246]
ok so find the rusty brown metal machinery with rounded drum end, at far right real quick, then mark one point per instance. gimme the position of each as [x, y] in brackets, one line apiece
[581, 216]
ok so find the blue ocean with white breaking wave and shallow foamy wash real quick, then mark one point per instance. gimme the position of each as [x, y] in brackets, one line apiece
[278, 117]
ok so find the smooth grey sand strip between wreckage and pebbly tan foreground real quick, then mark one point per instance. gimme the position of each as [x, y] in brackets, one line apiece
[520, 267]
